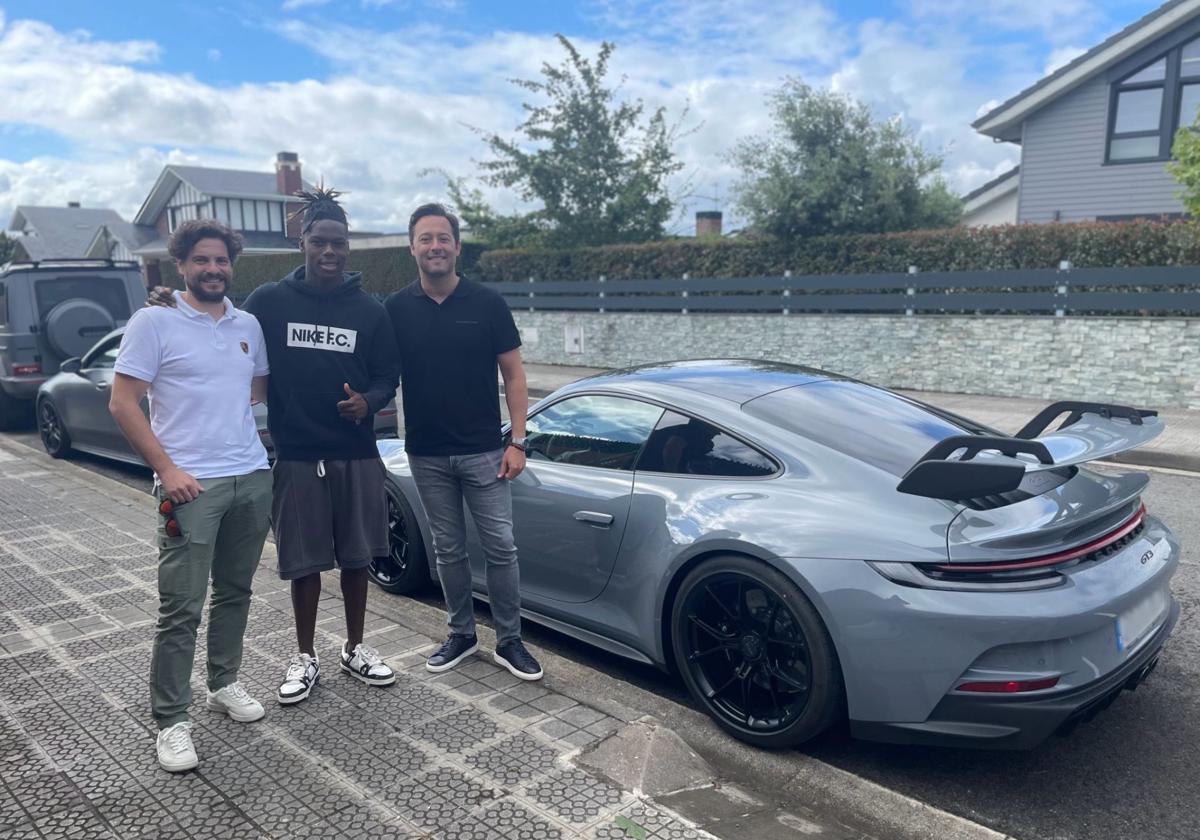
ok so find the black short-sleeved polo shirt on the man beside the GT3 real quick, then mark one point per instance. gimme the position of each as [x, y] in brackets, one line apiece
[448, 367]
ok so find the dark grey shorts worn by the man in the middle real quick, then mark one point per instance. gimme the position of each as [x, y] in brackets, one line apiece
[327, 514]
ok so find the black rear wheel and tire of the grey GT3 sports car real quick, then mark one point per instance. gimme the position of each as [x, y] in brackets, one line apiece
[755, 655]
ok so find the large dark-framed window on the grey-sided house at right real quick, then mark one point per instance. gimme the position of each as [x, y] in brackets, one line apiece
[1151, 104]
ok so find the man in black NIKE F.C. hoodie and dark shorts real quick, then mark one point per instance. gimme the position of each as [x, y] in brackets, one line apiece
[333, 361]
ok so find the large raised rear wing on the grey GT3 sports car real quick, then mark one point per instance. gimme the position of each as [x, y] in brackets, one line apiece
[988, 466]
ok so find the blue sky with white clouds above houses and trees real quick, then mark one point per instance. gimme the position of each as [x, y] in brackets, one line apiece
[373, 94]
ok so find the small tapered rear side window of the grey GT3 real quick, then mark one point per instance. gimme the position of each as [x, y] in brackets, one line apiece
[685, 446]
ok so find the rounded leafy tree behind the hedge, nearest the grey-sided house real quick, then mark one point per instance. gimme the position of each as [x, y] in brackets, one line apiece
[831, 169]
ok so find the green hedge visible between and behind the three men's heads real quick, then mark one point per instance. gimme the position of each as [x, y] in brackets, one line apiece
[385, 271]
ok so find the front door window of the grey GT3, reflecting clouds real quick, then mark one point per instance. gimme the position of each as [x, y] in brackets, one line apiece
[591, 431]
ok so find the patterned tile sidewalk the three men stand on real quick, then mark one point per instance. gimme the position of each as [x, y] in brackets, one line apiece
[473, 753]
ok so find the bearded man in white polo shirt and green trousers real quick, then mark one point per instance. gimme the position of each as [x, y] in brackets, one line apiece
[202, 364]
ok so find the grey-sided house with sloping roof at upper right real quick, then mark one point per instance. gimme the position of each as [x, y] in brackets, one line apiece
[1096, 134]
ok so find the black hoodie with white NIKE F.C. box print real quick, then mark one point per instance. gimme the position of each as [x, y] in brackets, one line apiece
[317, 343]
